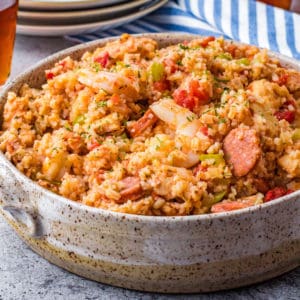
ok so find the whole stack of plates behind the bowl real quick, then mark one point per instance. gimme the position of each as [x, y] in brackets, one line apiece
[61, 17]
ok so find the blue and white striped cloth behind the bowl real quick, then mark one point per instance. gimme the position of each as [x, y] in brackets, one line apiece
[248, 21]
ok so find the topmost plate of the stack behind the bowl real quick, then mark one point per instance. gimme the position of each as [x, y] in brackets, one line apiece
[65, 4]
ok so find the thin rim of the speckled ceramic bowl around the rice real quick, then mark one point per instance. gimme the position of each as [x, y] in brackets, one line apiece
[120, 215]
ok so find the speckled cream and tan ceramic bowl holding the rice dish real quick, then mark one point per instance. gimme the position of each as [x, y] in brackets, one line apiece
[162, 254]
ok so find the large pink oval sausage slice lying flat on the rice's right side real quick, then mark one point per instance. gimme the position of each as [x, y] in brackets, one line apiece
[242, 150]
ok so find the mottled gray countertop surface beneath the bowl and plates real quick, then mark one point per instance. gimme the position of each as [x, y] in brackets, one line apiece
[25, 275]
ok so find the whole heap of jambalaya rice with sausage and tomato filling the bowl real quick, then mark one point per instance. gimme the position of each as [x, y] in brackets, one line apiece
[198, 127]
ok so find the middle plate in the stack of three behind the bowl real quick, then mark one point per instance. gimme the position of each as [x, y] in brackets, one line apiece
[77, 16]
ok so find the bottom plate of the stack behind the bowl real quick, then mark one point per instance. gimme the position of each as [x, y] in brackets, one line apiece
[23, 28]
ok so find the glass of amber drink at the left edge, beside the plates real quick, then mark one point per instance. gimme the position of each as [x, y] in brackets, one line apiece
[8, 20]
